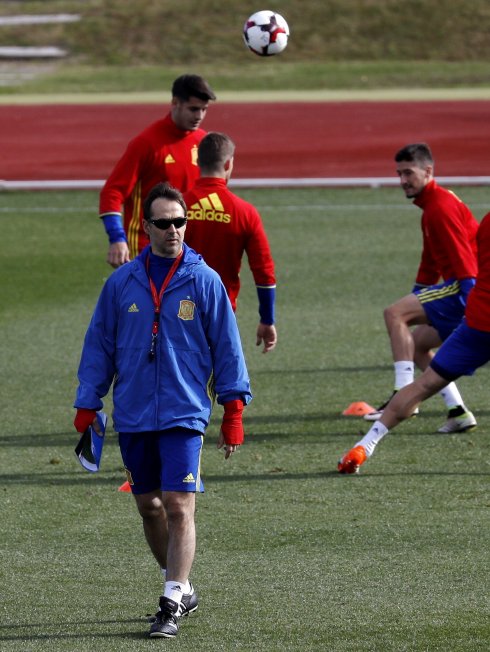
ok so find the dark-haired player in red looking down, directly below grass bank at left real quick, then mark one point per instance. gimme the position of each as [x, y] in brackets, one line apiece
[164, 151]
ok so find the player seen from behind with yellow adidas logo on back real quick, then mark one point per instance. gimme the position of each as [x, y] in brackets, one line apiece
[221, 227]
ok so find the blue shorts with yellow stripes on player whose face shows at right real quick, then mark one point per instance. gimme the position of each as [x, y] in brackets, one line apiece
[444, 305]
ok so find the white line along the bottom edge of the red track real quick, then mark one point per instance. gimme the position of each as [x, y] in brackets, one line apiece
[328, 182]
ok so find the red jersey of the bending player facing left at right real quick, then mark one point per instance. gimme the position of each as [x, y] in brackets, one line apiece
[449, 236]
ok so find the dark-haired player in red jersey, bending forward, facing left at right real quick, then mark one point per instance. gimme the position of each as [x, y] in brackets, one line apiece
[436, 308]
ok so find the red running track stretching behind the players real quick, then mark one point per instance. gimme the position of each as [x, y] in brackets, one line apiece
[280, 140]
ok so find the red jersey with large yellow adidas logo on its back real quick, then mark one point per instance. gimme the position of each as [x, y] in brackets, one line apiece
[221, 226]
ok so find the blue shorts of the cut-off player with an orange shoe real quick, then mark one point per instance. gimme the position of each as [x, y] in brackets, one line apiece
[463, 353]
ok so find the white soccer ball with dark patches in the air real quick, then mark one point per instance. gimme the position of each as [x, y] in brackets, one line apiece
[266, 33]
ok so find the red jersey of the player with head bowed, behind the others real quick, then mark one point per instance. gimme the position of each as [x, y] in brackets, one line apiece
[161, 152]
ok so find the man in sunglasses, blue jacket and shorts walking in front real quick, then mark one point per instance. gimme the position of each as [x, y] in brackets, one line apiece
[165, 335]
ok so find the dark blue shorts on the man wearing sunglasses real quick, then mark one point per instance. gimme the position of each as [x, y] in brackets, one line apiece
[169, 460]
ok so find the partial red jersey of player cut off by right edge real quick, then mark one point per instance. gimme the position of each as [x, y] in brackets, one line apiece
[478, 305]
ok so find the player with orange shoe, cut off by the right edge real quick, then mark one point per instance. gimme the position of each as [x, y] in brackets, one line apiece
[465, 350]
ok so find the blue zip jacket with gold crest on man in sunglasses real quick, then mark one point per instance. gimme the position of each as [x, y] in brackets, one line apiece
[198, 353]
